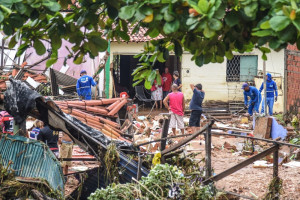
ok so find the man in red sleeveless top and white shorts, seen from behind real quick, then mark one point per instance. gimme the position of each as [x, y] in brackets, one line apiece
[176, 107]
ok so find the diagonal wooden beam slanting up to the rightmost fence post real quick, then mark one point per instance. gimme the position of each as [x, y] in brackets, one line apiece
[241, 165]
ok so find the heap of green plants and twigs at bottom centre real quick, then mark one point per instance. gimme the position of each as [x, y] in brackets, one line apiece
[164, 181]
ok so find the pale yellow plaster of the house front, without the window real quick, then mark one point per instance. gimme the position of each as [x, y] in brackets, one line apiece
[212, 76]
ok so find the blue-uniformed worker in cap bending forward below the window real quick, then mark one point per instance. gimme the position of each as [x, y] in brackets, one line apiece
[255, 98]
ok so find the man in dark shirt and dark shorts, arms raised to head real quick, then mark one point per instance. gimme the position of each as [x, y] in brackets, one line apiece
[196, 106]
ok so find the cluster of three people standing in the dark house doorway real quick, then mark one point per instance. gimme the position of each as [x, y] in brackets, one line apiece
[160, 91]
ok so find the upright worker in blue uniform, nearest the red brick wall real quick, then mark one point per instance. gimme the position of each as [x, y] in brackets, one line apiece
[271, 89]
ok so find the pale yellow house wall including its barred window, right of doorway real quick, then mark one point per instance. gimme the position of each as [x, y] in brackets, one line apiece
[223, 81]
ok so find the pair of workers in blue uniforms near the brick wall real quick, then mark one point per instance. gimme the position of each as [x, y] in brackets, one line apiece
[255, 96]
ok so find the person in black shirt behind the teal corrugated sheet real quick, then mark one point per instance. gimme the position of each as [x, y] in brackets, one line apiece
[50, 138]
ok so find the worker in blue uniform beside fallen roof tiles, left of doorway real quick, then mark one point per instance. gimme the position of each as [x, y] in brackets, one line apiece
[84, 86]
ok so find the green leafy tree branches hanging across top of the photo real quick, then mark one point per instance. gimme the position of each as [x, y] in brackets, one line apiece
[208, 29]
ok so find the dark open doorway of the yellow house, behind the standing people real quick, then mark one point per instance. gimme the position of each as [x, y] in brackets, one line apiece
[124, 66]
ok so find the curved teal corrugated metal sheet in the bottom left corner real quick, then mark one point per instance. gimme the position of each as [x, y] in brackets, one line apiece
[32, 158]
